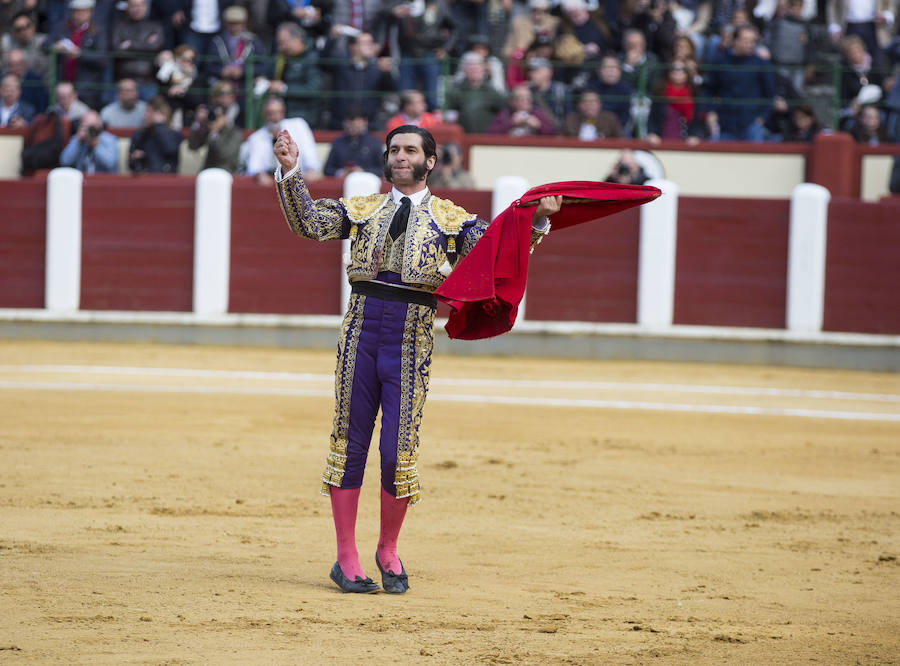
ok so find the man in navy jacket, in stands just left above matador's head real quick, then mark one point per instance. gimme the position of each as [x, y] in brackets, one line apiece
[362, 81]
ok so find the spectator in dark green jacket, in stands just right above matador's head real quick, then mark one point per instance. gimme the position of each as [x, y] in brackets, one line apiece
[474, 101]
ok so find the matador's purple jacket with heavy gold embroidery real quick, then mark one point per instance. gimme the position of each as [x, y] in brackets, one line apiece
[437, 234]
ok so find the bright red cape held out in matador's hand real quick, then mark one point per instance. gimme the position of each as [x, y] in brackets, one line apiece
[486, 287]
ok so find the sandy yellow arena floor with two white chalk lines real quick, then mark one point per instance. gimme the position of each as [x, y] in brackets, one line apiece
[160, 505]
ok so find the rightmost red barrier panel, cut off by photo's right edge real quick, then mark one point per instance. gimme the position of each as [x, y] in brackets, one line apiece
[862, 266]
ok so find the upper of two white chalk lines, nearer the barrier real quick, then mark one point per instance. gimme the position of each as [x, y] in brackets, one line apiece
[476, 382]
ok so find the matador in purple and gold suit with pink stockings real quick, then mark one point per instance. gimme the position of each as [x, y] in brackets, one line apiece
[403, 244]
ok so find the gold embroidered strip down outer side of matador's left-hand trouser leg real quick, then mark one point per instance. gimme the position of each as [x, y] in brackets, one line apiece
[348, 344]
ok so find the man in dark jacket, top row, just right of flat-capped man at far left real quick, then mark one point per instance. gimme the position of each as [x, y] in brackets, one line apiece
[142, 38]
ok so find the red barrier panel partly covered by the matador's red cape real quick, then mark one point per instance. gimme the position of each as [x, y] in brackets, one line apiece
[587, 273]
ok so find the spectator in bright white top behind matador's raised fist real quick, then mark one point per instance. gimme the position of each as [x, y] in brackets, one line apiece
[259, 161]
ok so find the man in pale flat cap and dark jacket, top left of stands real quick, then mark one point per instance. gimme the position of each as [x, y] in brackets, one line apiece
[81, 49]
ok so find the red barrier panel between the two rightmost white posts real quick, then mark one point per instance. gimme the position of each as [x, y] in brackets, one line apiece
[731, 262]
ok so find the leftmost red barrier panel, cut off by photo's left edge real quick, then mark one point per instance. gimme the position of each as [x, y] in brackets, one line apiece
[23, 239]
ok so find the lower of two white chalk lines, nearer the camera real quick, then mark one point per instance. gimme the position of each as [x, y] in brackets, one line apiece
[479, 399]
